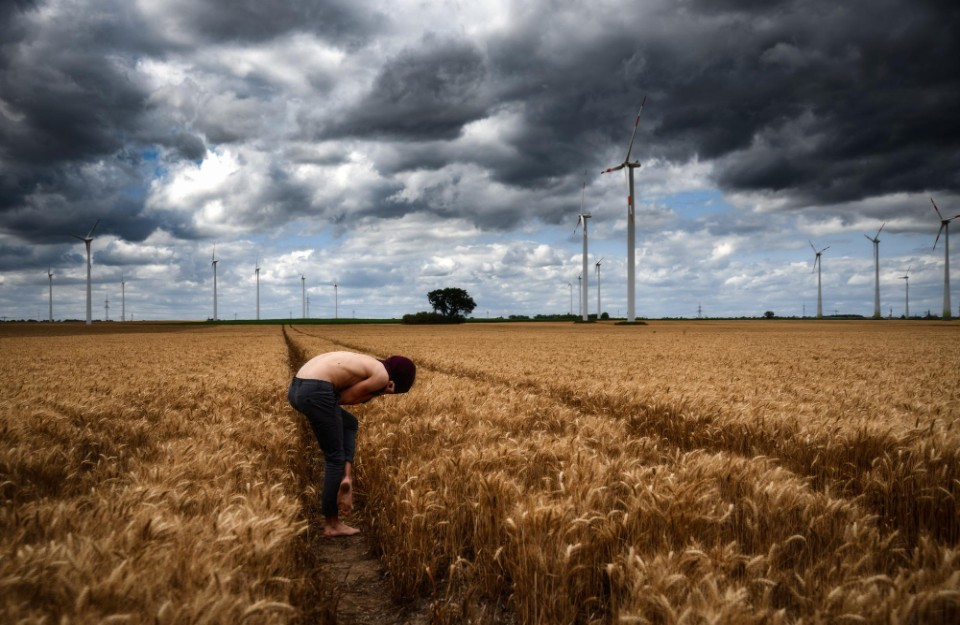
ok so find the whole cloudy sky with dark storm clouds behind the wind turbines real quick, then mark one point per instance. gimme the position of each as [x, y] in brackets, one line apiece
[398, 147]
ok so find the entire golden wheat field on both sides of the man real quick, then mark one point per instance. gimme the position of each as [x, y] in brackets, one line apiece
[679, 472]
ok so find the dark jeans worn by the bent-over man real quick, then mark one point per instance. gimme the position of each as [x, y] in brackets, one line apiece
[335, 429]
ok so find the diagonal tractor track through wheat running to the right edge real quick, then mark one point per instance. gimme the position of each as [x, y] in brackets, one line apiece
[853, 479]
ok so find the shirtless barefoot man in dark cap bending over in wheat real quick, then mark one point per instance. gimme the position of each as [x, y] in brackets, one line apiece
[320, 388]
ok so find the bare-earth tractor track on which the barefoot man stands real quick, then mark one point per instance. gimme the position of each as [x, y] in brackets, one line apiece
[346, 582]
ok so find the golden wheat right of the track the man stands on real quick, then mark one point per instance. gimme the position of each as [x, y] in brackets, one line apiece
[668, 474]
